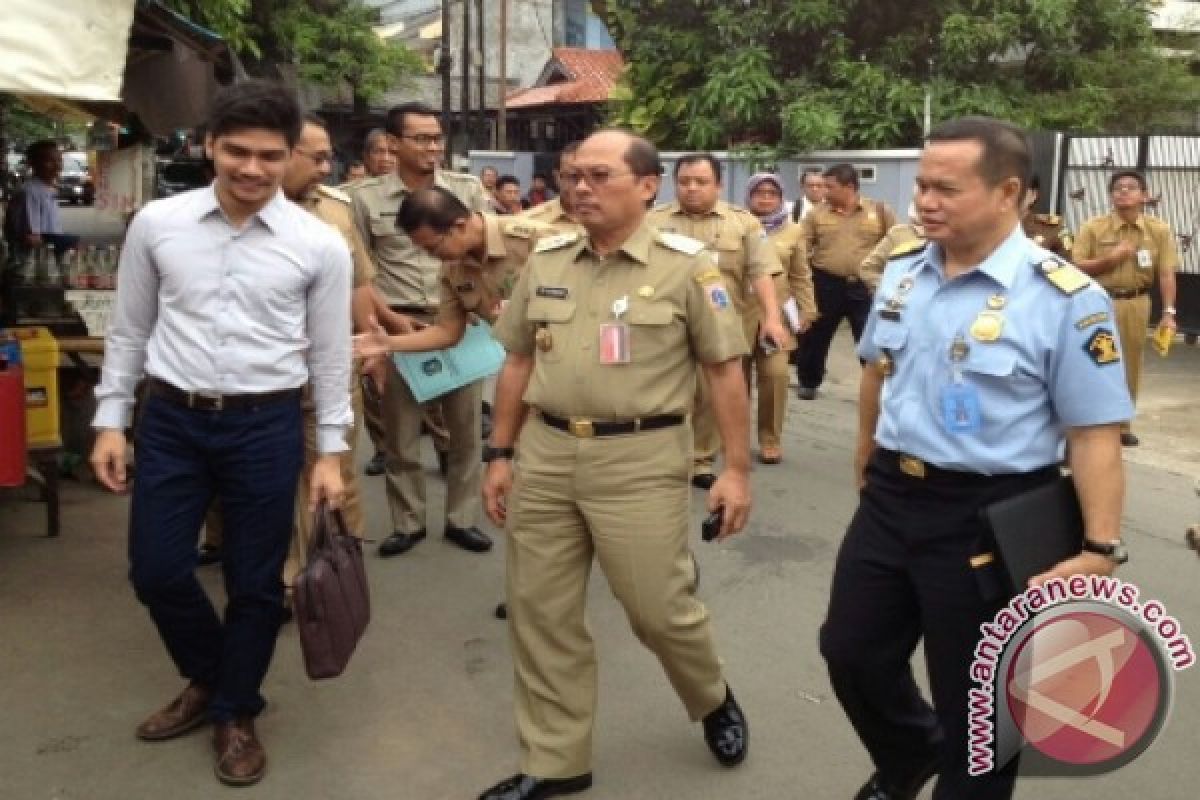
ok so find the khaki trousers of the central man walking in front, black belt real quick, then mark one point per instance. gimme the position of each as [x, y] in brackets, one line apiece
[623, 501]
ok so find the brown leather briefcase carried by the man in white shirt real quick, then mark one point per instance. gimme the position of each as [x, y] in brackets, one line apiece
[332, 601]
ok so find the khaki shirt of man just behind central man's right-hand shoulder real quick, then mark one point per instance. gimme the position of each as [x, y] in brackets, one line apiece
[743, 250]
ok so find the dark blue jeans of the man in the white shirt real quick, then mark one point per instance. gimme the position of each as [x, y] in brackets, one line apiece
[251, 459]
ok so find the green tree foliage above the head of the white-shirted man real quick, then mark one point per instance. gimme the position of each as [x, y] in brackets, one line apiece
[327, 41]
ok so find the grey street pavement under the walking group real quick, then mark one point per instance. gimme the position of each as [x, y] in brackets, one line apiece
[425, 709]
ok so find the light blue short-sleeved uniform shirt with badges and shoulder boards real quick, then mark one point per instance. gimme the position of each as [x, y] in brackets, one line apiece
[1055, 364]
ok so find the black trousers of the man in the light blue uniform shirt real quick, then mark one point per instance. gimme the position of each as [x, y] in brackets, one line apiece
[904, 575]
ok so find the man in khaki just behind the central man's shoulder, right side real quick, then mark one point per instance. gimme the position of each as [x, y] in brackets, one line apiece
[748, 262]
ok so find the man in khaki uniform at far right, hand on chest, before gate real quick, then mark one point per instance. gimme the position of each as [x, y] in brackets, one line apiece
[1126, 251]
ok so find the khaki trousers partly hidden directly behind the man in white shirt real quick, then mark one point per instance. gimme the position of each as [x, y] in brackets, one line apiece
[352, 507]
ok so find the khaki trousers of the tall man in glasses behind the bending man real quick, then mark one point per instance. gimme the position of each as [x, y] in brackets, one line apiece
[403, 417]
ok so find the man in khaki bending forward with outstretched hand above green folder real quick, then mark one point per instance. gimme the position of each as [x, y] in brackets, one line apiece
[482, 257]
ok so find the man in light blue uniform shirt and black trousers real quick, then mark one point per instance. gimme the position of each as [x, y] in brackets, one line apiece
[986, 356]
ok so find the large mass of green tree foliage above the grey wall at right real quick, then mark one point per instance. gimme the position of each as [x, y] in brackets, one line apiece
[803, 75]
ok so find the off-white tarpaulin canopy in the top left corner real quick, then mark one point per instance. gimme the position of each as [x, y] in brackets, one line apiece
[65, 49]
